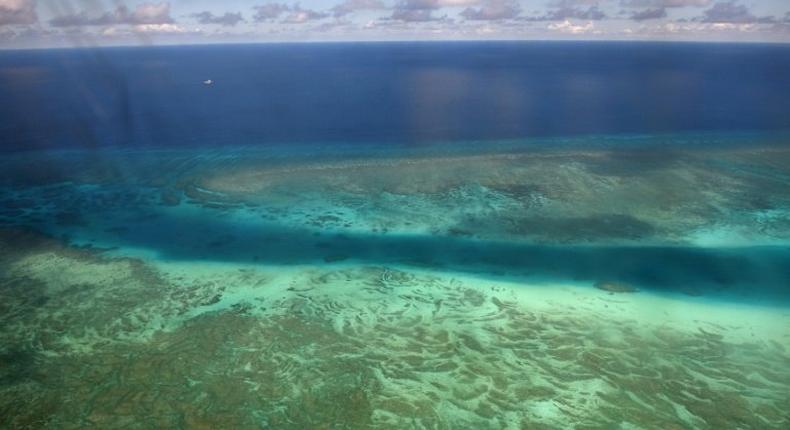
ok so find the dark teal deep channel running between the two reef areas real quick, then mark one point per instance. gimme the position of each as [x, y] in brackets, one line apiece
[754, 273]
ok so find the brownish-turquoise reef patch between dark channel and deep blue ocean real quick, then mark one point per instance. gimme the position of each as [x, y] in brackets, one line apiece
[652, 192]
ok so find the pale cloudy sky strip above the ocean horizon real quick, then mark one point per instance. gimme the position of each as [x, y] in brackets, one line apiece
[64, 23]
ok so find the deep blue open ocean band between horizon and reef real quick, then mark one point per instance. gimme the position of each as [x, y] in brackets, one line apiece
[405, 93]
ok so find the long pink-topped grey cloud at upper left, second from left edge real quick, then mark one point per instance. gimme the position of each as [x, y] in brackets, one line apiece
[144, 14]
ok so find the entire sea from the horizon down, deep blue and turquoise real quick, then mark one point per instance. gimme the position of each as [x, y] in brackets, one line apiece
[499, 235]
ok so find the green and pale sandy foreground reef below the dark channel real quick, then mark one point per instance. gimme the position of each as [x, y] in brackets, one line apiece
[91, 341]
